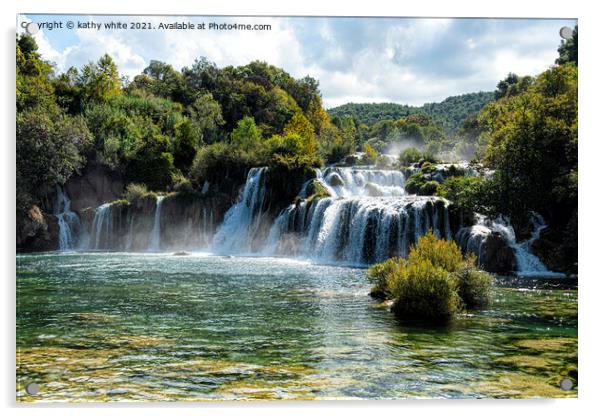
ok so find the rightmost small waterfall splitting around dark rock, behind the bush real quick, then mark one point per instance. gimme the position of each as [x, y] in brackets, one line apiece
[474, 239]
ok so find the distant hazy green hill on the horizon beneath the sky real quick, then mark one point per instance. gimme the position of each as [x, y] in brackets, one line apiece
[450, 113]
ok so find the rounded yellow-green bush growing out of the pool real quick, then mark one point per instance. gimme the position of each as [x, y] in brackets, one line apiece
[434, 283]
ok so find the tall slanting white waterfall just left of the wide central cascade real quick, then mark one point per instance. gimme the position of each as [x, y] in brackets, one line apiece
[238, 230]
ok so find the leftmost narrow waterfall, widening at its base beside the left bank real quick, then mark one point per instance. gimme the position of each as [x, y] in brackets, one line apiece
[72, 234]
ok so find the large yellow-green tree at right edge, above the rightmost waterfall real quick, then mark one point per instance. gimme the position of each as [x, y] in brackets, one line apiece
[532, 145]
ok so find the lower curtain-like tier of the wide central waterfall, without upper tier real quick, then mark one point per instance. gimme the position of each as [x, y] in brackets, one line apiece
[355, 230]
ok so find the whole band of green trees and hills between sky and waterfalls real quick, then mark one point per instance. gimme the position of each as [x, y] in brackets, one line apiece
[171, 130]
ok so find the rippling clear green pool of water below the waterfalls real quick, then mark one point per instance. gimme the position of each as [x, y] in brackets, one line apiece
[132, 327]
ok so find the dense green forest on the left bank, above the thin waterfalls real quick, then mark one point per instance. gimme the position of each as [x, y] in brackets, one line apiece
[166, 128]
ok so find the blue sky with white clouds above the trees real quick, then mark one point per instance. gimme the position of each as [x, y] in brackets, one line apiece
[403, 60]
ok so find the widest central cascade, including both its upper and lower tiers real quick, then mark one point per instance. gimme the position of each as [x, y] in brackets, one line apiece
[368, 218]
